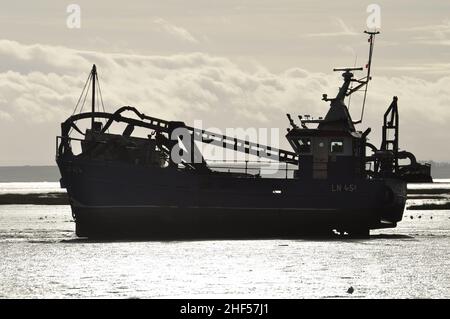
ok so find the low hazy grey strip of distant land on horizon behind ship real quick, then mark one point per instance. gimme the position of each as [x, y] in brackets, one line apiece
[51, 173]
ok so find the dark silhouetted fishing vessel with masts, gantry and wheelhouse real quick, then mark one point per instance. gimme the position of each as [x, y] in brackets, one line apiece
[334, 181]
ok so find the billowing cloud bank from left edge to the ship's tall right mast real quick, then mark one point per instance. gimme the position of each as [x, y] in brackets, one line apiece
[174, 86]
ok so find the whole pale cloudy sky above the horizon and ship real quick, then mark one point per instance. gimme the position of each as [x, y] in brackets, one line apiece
[231, 63]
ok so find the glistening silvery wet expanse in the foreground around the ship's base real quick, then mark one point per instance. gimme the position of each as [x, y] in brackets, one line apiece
[41, 257]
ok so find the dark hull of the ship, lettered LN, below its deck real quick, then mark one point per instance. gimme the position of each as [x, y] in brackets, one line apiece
[122, 200]
